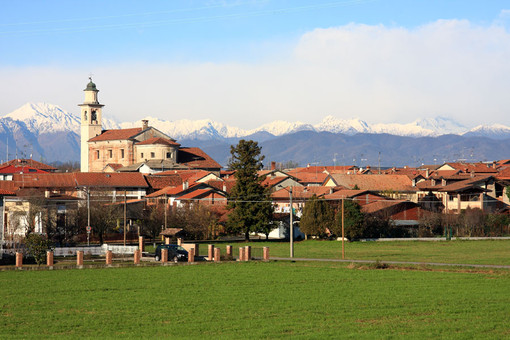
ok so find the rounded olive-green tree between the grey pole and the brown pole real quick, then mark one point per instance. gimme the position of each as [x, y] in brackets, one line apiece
[317, 217]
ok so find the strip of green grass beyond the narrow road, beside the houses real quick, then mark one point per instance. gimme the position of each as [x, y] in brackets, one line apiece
[495, 252]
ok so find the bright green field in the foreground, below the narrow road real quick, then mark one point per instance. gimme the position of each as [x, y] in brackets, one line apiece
[256, 300]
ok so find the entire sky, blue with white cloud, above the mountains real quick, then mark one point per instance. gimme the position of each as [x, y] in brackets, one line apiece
[248, 63]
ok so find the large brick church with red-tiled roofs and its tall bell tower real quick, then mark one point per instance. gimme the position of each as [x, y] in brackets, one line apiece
[143, 149]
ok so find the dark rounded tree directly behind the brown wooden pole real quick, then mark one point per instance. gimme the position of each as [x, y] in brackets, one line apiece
[353, 221]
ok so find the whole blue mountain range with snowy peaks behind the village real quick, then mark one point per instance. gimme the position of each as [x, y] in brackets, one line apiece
[48, 133]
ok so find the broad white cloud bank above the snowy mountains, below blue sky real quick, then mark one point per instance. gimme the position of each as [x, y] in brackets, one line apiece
[380, 74]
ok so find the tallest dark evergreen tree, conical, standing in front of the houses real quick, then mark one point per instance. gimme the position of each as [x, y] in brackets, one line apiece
[251, 207]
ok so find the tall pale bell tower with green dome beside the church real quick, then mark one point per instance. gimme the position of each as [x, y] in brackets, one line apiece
[91, 120]
